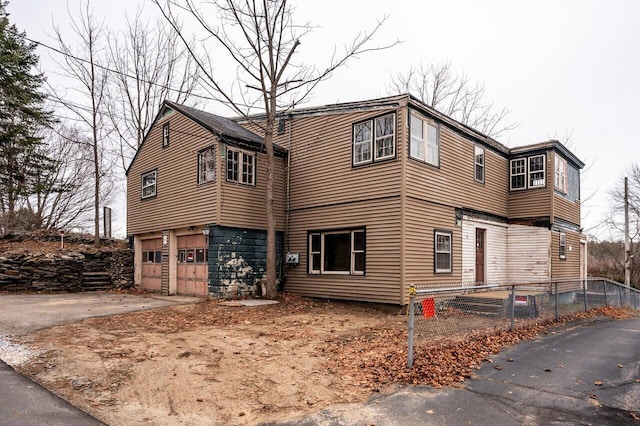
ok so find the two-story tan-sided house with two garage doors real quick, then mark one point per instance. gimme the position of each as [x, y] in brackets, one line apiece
[373, 196]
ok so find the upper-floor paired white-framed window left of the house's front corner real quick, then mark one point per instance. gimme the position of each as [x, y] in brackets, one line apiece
[374, 140]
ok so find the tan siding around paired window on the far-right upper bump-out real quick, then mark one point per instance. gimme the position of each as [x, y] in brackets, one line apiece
[530, 203]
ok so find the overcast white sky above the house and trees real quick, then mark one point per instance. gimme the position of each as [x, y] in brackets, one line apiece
[562, 67]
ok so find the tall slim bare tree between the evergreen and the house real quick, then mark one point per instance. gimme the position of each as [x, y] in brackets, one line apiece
[87, 102]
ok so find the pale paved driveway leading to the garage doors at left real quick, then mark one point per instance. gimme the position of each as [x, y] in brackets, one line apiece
[25, 313]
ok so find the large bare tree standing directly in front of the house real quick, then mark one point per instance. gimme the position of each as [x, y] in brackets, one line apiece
[261, 38]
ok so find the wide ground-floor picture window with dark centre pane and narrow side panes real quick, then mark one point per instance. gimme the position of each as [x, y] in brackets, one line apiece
[337, 252]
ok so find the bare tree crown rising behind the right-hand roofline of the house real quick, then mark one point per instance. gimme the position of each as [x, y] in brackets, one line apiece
[455, 95]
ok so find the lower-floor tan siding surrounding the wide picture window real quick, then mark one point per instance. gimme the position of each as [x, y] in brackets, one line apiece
[382, 280]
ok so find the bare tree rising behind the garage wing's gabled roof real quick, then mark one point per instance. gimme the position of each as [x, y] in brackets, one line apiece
[148, 66]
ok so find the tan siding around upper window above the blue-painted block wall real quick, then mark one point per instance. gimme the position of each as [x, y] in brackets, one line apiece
[244, 206]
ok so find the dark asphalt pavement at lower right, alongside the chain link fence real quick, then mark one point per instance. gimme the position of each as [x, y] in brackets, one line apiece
[550, 380]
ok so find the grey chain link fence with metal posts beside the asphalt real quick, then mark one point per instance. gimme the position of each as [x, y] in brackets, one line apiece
[448, 310]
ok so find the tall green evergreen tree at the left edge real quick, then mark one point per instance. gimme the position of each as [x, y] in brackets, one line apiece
[22, 116]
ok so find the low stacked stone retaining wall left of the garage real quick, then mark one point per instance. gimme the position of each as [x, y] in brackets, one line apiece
[71, 272]
